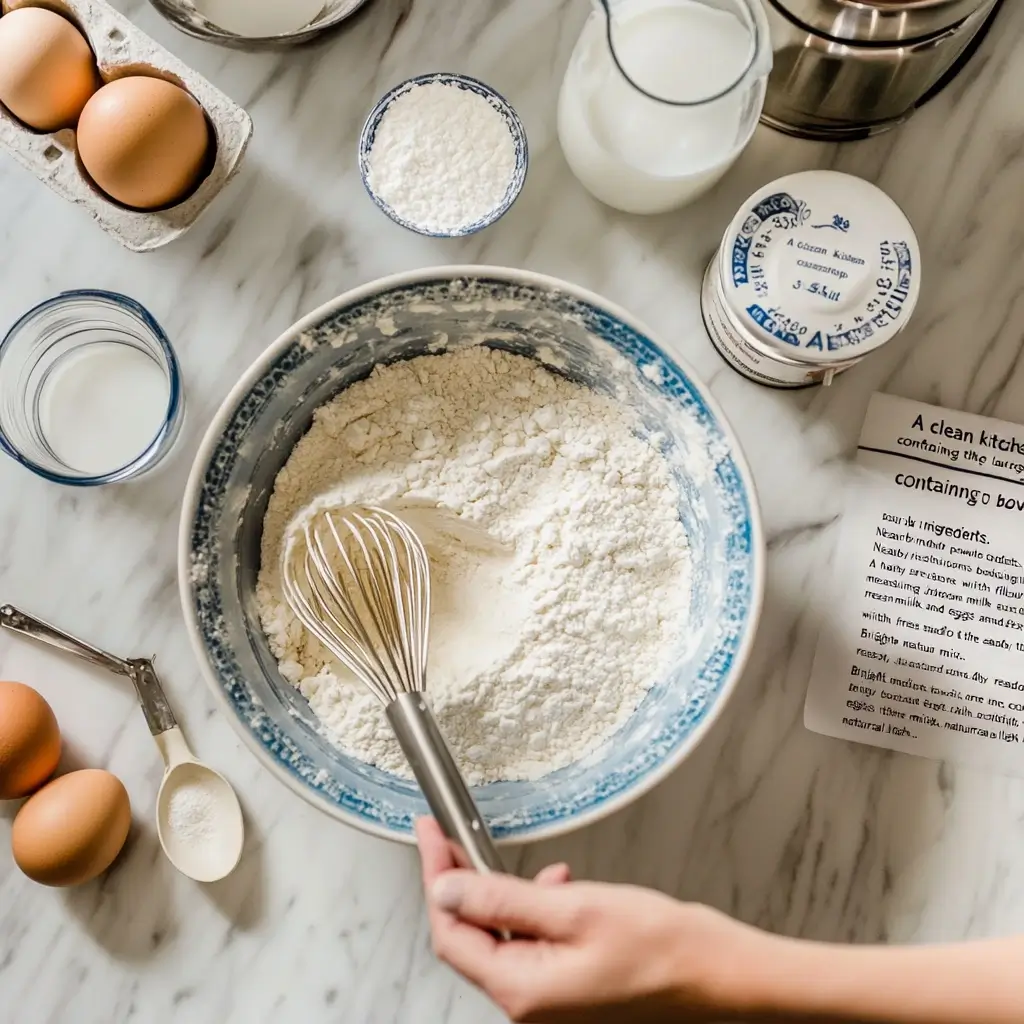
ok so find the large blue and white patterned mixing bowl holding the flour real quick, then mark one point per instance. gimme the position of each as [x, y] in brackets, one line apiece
[575, 333]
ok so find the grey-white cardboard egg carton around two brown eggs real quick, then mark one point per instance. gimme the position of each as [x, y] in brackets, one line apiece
[121, 51]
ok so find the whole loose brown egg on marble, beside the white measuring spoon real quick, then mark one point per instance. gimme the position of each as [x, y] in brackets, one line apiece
[73, 829]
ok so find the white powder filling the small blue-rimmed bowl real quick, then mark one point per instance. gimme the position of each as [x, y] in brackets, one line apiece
[443, 157]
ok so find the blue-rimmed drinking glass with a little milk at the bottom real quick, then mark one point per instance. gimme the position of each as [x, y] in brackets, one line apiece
[91, 390]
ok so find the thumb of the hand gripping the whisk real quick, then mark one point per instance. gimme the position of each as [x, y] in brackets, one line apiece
[503, 903]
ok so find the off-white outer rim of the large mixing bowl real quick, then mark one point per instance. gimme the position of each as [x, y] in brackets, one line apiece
[257, 371]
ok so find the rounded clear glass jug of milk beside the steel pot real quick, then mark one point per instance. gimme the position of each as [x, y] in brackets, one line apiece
[661, 97]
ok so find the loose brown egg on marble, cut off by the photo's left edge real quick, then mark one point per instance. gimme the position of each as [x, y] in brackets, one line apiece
[30, 741]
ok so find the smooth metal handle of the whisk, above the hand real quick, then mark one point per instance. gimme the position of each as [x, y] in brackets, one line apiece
[442, 783]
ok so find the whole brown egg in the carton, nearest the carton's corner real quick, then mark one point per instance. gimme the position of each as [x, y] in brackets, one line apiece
[144, 142]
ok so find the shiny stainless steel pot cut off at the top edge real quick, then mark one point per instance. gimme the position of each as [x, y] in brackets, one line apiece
[846, 69]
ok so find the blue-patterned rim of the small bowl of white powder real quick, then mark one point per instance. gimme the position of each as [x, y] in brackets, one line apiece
[501, 105]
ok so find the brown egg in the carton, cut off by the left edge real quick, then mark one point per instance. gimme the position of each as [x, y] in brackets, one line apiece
[48, 71]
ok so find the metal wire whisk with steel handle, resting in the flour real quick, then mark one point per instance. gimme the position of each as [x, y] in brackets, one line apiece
[359, 580]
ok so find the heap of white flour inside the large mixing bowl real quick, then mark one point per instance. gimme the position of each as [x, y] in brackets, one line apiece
[539, 651]
